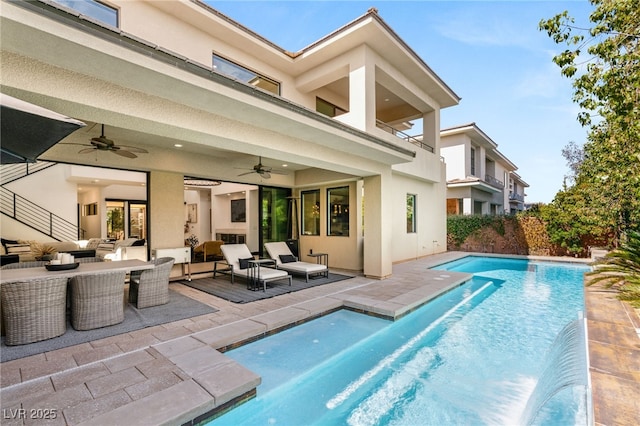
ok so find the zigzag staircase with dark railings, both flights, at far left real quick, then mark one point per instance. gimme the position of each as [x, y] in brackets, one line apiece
[29, 213]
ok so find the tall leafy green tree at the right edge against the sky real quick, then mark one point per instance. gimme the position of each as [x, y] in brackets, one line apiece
[607, 88]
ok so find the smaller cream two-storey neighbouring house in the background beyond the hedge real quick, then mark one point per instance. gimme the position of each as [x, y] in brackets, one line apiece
[480, 179]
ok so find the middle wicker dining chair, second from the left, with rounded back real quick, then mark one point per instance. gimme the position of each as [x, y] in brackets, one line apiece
[97, 300]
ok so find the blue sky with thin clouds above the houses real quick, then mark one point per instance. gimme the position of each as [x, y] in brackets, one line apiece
[490, 53]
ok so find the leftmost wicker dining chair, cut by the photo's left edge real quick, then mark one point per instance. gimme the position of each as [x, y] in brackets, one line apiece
[34, 310]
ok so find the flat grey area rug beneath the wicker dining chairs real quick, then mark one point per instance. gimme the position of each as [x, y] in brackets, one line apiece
[179, 307]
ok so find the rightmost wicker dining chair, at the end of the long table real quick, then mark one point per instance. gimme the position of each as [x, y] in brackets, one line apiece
[151, 286]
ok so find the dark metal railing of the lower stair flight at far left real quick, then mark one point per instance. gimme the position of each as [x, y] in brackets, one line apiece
[37, 217]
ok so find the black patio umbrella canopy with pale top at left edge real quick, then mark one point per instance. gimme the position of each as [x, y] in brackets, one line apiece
[29, 130]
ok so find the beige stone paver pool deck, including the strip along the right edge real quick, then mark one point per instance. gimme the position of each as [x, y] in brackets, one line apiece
[175, 374]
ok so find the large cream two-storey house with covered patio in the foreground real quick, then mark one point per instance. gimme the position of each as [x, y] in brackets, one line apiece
[210, 99]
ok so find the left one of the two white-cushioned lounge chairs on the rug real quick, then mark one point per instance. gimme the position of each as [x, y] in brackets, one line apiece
[237, 257]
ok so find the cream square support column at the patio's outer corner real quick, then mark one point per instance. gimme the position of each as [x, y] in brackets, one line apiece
[377, 223]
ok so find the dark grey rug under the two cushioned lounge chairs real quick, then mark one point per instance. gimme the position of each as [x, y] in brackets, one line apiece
[238, 292]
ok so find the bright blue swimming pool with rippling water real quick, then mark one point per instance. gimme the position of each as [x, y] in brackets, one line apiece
[472, 356]
